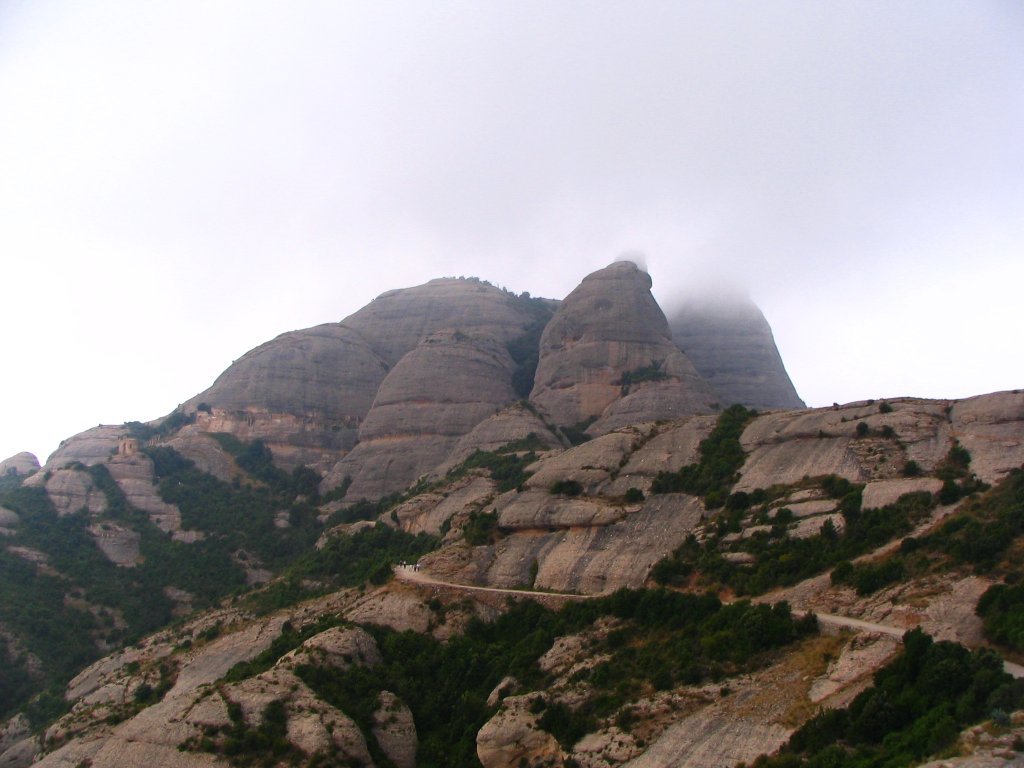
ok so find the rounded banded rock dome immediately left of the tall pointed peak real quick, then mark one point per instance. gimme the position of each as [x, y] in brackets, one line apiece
[436, 395]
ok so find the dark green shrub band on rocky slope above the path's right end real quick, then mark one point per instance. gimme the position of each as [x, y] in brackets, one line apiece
[784, 562]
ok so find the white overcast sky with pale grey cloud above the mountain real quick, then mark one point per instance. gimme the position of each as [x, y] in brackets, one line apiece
[181, 182]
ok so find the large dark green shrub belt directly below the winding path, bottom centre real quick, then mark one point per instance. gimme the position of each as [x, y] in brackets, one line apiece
[663, 638]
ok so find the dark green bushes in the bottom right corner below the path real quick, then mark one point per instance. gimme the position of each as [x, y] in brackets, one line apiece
[917, 708]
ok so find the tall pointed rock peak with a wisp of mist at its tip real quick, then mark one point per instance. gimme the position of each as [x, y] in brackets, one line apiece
[609, 354]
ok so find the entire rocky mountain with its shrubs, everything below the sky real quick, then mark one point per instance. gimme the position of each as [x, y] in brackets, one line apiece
[613, 568]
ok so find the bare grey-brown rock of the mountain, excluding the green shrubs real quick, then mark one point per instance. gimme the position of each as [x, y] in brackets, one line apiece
[581, 520]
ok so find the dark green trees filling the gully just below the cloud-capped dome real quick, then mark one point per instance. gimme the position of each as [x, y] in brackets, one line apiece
[721, 458]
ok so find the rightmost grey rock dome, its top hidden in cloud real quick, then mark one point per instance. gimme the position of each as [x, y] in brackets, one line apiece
[732, 345]
